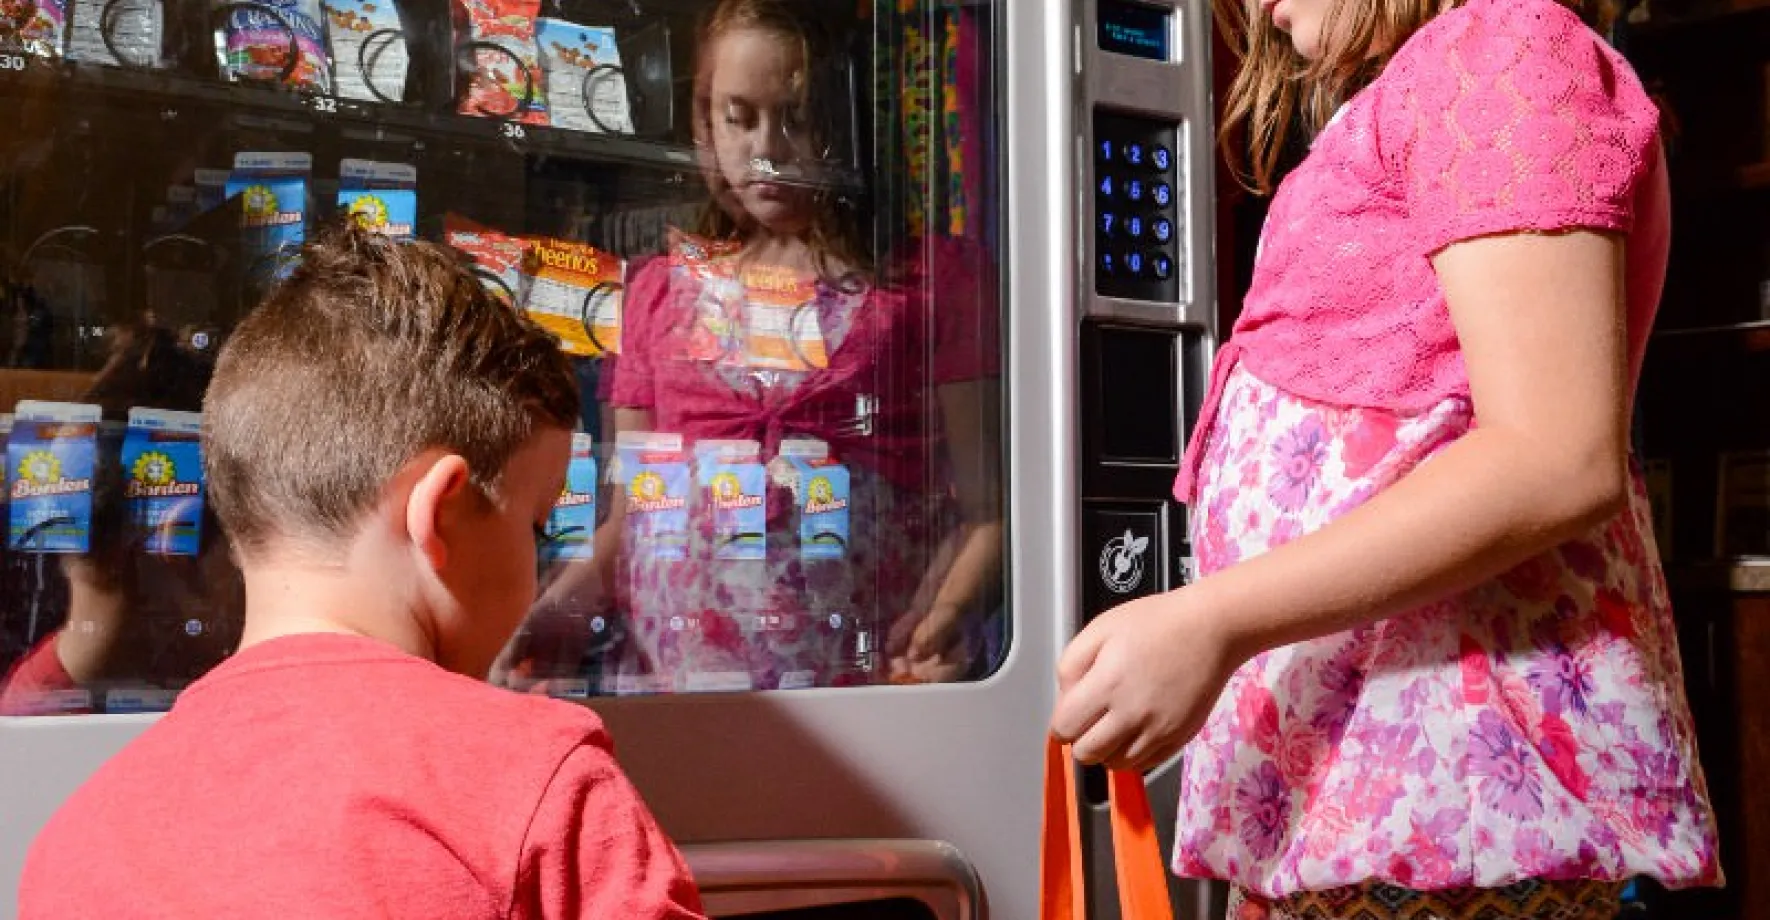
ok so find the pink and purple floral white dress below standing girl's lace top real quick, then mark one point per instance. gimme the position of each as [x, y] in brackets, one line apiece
[1532, 730]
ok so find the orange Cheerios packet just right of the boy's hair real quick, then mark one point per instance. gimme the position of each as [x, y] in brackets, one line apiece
[576, 293]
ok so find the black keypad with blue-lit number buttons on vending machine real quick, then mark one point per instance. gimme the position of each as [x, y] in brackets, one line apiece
[1137, 208]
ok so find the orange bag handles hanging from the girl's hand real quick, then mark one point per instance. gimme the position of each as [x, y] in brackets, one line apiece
[1137, 855]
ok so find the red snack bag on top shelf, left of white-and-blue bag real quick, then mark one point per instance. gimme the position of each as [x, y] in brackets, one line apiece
[507, 75]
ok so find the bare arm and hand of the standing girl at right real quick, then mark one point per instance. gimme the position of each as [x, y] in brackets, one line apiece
[1543, 328]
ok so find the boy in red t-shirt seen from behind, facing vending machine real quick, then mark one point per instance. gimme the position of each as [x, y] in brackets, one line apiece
[383, 443]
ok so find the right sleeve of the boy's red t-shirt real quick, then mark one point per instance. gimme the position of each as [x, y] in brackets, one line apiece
[596, 852]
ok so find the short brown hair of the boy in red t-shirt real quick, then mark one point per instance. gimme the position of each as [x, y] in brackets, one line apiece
[371, 353]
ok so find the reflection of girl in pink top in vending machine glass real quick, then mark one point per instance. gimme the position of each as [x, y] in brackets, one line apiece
[773, 325]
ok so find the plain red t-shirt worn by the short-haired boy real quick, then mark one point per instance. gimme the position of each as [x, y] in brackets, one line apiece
[330, 776]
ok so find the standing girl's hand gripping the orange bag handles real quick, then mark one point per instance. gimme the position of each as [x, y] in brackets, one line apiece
[1143, 678]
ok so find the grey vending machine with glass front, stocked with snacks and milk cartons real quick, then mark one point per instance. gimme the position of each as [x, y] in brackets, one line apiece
[889, 318]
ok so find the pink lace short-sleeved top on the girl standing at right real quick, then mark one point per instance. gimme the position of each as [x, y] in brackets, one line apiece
[1502, 116]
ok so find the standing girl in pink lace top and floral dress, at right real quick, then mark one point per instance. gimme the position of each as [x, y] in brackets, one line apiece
[1431, 668]
